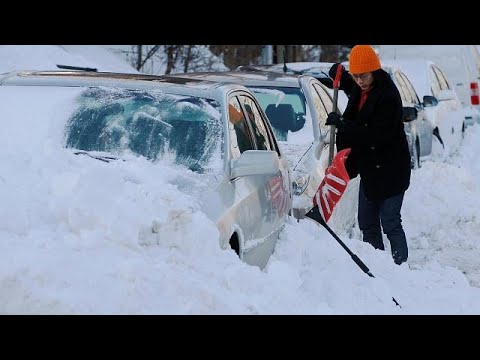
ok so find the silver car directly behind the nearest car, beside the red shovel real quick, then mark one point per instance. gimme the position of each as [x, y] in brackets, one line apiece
[297, 107]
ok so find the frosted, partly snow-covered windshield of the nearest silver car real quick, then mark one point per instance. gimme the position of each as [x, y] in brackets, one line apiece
[181, 129]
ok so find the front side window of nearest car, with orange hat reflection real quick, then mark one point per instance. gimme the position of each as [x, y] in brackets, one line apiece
[240, 135]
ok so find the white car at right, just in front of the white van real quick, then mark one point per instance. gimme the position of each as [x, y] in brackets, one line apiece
[445, 112]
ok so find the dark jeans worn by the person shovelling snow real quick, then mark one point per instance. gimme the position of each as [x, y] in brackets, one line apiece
[387, 213]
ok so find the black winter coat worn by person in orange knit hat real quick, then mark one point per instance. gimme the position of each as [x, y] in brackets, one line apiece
[377, 138]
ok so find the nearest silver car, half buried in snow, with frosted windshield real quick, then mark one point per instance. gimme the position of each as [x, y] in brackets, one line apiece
[215, 134]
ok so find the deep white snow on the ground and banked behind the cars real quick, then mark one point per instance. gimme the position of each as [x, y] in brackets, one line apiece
[72, 233]
